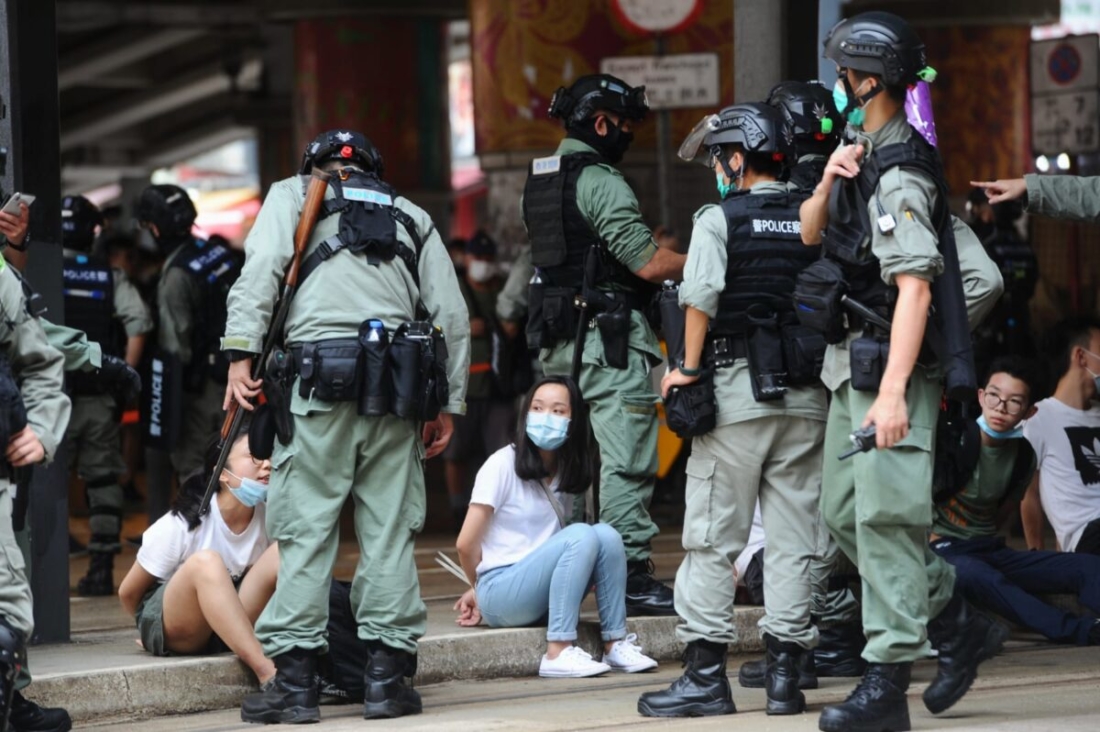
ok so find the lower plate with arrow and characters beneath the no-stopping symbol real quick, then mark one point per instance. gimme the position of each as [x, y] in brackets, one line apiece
[1066, 123]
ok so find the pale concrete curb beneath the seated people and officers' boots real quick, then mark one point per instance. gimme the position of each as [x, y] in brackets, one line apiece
[180, 686]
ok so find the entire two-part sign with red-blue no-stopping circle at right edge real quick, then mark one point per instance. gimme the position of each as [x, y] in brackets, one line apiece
[1065, 104]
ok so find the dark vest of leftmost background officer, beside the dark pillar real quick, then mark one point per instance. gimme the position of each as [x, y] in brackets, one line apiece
[89, 287]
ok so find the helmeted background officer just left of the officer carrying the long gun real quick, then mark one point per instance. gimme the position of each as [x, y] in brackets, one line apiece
[191, 303]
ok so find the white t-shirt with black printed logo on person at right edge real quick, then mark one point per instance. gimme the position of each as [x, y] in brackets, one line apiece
[1068, 451]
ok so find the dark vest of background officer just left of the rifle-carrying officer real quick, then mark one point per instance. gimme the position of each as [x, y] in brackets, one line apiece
[216, 269]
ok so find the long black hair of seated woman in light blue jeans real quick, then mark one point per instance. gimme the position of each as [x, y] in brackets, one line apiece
[574, 464]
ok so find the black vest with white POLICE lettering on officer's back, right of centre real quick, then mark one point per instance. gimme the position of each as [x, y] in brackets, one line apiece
[765, 254]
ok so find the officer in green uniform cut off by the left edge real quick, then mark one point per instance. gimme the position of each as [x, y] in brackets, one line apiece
[34, 413]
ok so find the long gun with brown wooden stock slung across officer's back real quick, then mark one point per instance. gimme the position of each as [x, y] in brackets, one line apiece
[311, 212]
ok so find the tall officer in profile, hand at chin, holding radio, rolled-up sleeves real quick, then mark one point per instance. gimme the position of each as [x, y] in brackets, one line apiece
[889, 237]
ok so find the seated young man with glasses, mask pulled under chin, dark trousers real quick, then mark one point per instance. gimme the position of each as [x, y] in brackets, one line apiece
[964, 532]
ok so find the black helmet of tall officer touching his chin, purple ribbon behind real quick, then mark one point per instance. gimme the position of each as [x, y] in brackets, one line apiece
[878, 43]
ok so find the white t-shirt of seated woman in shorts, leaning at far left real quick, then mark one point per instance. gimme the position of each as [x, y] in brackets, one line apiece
[168, 544]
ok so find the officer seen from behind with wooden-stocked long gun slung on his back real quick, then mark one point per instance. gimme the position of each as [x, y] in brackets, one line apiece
[373, 265]
